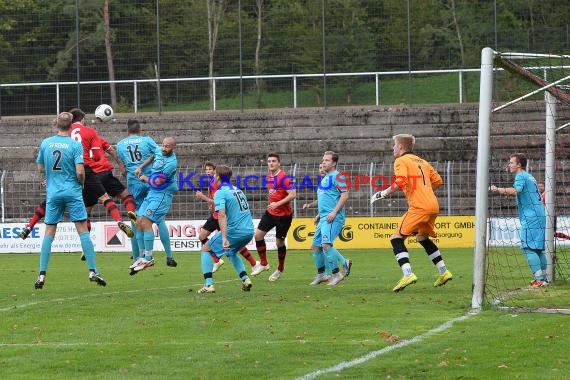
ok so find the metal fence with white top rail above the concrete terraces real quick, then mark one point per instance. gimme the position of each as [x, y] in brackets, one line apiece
[294, 90]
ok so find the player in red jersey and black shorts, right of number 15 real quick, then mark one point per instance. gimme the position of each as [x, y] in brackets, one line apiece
[279, 215]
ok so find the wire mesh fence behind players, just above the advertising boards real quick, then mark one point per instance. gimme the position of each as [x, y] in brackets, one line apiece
[22, 191]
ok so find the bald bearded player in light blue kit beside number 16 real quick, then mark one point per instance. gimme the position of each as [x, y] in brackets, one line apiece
[163, 183]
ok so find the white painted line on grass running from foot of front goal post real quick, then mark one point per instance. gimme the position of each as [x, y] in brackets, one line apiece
[348, 364]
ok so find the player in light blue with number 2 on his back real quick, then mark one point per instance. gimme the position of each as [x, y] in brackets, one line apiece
[61, 160]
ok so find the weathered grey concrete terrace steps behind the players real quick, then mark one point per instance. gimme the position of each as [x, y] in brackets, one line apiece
[444, 132]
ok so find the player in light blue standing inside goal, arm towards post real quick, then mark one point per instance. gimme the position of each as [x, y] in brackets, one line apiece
[532, 217]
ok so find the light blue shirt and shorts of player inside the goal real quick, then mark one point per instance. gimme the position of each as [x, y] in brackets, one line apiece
[531, 211]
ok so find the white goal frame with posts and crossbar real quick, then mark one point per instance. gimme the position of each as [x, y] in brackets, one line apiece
[551, 93]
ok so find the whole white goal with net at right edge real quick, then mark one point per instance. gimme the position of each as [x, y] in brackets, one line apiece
[524, 109]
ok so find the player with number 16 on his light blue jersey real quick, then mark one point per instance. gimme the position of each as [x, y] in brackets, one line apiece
[132, 151]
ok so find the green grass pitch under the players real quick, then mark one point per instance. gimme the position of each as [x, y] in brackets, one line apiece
[151, 326]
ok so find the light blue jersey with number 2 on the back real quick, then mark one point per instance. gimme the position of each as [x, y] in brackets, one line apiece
[59, 155]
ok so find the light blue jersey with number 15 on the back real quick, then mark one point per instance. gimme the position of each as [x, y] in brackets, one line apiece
[234, 202]
